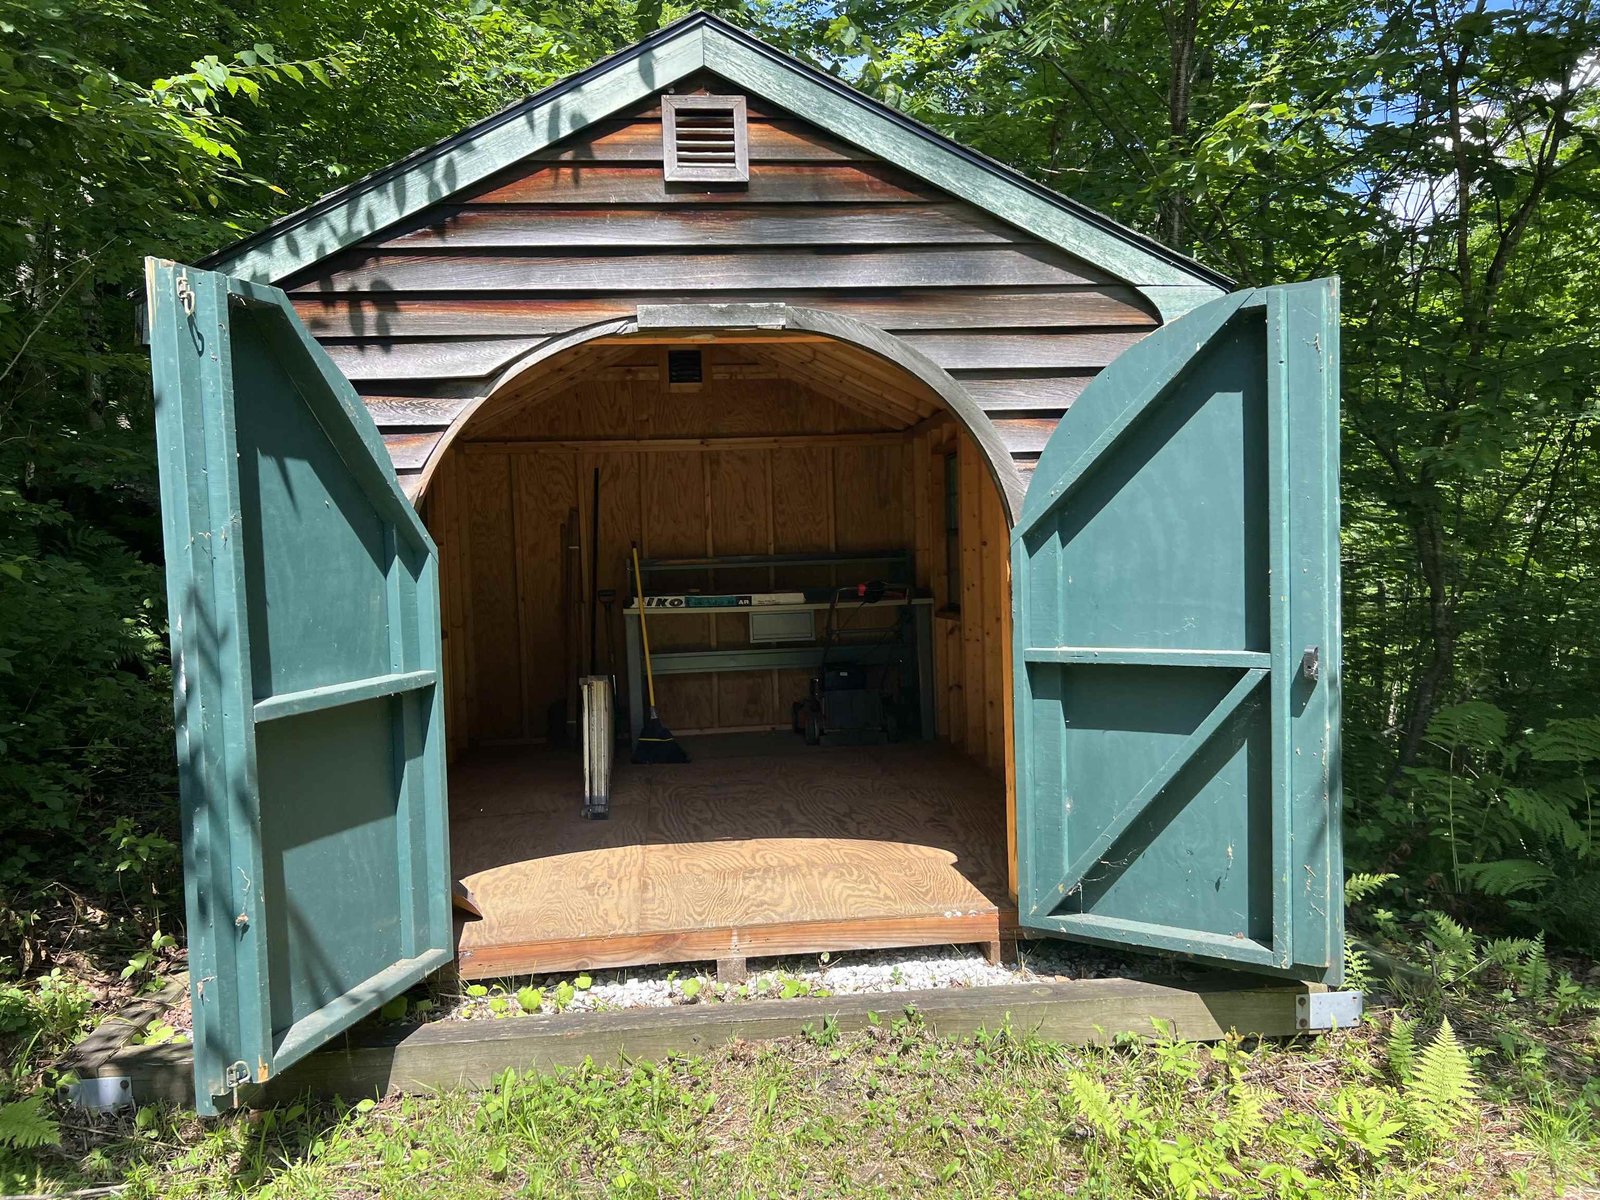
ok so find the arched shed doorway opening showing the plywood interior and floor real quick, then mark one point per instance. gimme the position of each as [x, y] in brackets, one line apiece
[750, 455]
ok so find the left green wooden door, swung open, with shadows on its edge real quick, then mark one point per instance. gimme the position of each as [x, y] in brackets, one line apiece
[303, 598]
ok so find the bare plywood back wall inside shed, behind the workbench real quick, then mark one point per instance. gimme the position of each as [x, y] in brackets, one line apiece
[809, 474]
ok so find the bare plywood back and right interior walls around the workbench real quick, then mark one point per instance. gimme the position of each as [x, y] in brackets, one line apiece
[809, 473]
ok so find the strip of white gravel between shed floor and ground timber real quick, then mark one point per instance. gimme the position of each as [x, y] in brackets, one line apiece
[849, 974]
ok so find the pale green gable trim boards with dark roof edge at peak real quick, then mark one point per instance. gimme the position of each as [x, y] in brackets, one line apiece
[703, 42]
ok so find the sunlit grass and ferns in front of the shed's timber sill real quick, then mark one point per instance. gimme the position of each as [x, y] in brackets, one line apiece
[898, 1113]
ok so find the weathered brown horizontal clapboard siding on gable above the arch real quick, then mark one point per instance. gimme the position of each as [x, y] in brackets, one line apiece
[428, 314]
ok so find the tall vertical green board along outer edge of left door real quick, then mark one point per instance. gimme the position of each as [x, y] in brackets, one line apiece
[206, 574]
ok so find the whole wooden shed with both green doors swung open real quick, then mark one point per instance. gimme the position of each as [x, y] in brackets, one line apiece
[794, 342]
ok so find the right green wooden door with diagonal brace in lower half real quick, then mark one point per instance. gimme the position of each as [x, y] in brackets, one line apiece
[1175, 599]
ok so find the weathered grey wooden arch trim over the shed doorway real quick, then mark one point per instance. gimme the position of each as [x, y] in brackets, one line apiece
[735, 318]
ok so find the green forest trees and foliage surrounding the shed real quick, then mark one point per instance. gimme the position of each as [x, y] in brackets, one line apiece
[1441, 158]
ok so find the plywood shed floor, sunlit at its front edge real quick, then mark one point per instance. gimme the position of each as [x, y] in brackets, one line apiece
[761, 846]
